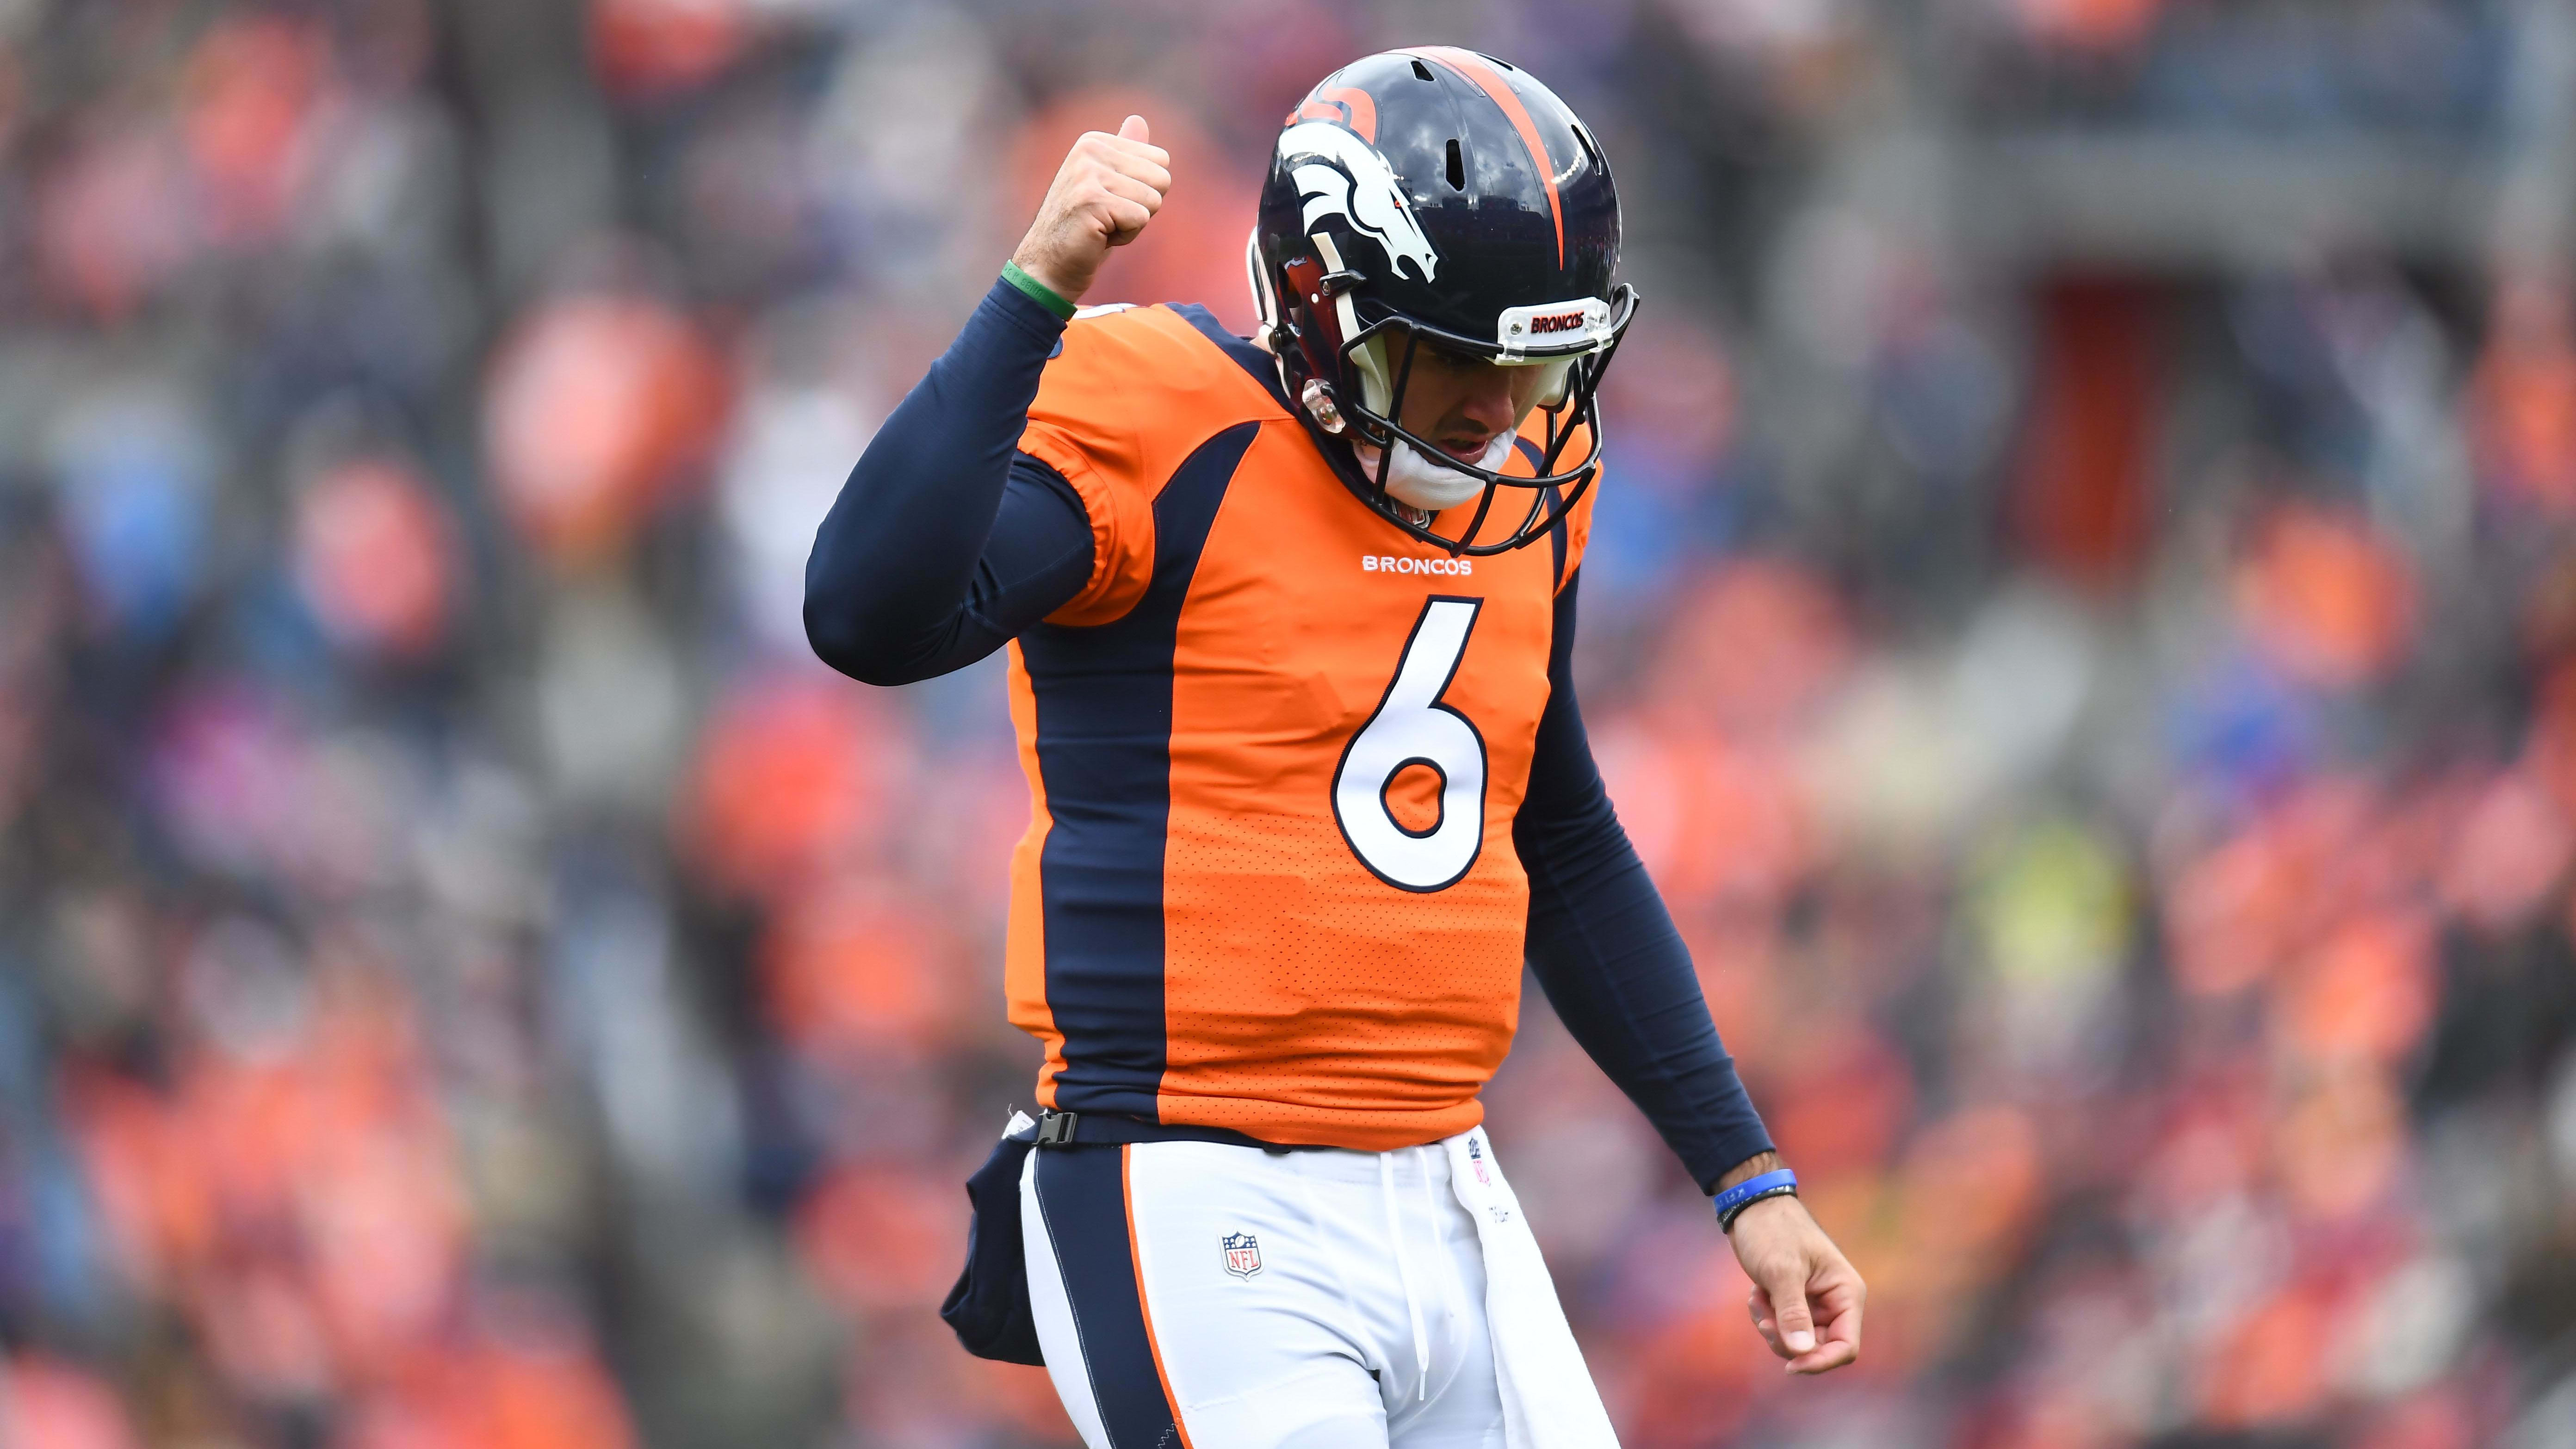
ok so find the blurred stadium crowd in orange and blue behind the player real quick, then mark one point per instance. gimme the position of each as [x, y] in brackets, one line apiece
[2085, 643]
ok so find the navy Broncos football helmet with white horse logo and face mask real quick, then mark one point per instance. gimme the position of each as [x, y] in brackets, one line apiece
[1441, 200]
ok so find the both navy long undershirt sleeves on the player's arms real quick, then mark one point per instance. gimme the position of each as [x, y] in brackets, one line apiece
[947, 543]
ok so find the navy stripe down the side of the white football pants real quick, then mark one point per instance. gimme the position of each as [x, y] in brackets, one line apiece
[1083, 1198]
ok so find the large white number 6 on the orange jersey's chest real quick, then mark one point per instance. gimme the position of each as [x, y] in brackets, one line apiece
[1413, 728]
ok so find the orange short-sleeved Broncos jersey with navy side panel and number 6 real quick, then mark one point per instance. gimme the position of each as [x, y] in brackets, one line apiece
[1274, 757]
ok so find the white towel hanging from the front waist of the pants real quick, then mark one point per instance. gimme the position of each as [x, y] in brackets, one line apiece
[1547, 1394]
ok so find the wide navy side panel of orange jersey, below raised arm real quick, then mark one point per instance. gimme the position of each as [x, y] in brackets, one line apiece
[1106, 759]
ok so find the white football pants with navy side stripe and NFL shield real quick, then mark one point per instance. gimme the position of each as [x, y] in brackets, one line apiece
[1194, 1296]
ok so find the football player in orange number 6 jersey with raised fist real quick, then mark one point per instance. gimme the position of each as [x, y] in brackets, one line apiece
[1289, 633]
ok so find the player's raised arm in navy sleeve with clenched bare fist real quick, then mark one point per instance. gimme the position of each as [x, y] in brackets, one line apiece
[947, 543]
